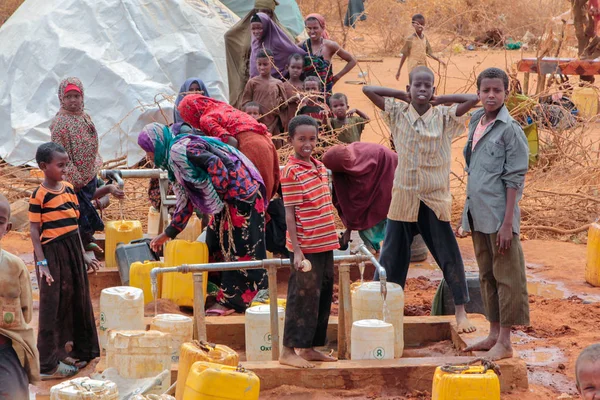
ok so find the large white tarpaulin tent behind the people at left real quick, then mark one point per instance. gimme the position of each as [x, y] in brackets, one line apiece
[129, 54]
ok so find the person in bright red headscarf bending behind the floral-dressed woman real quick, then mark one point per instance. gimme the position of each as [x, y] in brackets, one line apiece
[218, 119]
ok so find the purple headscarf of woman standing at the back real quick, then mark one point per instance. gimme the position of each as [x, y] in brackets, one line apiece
[276, 40]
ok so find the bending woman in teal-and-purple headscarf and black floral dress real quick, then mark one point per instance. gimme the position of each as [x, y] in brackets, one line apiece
[215, 179]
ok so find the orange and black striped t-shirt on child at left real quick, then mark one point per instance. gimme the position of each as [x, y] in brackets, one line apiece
[56, 211]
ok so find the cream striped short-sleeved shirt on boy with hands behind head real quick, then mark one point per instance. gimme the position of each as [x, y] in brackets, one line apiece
[423, 143]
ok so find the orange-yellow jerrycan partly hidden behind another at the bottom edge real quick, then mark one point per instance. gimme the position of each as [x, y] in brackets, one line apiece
[201, 351]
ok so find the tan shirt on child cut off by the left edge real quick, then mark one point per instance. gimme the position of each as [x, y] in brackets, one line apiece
[16, 309]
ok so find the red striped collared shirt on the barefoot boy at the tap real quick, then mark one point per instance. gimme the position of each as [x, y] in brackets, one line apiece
[305, 186]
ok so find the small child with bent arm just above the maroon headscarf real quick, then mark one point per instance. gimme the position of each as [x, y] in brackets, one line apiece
[346, 127]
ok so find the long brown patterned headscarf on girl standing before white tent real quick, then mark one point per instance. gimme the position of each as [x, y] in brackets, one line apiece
[75, 131]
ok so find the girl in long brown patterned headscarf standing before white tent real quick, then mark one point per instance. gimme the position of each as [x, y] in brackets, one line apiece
[74, 130]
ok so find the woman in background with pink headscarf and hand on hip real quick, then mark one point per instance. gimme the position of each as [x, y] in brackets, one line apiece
[320, 52]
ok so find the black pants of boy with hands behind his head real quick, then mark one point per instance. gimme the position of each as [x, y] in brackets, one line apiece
[440, 240]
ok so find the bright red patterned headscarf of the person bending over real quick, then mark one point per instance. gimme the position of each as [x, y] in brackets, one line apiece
[216, 118]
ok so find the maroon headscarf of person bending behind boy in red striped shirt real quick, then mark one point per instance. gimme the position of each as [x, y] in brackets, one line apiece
[363, 175]
